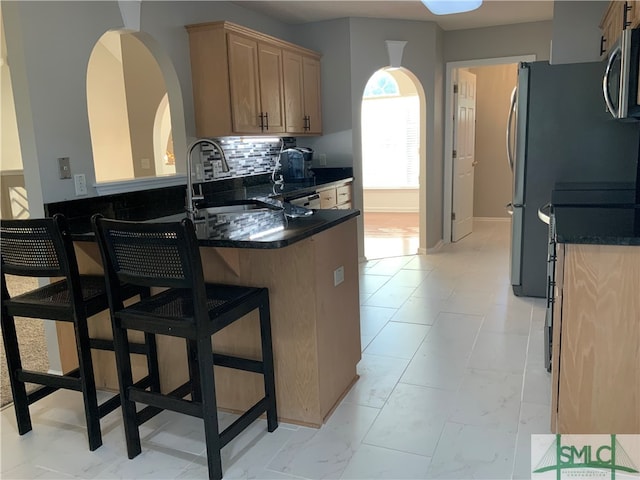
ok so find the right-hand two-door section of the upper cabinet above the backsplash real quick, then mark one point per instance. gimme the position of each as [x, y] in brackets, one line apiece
[302, 94]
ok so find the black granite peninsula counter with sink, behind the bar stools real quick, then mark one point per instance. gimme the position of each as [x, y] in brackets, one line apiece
[266, 229]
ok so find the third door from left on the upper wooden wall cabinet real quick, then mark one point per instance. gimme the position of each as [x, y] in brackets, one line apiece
[293, 93]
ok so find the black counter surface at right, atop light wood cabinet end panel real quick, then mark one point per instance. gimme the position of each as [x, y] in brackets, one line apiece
[596, 213]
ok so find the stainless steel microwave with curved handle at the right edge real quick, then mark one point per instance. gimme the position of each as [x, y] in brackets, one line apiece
[620, 82]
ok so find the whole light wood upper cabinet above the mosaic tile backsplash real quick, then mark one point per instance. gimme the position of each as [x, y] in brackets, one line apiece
[242, 83]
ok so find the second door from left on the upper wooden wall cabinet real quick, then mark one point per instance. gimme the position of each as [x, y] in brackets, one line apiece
[271, 88]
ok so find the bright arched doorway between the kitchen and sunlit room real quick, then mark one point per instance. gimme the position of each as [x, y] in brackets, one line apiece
[393, 113]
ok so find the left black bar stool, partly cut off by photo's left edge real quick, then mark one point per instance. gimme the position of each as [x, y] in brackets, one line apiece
[43, 248]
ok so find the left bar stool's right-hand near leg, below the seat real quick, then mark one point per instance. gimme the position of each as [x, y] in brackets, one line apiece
[88, 383]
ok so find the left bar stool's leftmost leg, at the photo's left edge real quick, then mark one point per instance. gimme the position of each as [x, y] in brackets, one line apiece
[14, 364]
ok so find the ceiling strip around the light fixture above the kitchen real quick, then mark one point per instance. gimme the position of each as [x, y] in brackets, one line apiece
[491, 13]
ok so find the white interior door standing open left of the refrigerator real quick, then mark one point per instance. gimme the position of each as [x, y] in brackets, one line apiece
[463, 157]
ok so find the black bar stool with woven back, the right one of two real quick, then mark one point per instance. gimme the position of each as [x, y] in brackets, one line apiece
[167, 255]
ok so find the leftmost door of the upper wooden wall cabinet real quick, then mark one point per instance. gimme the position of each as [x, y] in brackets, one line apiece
[244, 84]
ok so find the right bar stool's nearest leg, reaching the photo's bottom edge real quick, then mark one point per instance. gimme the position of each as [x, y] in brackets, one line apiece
[209, 407]
